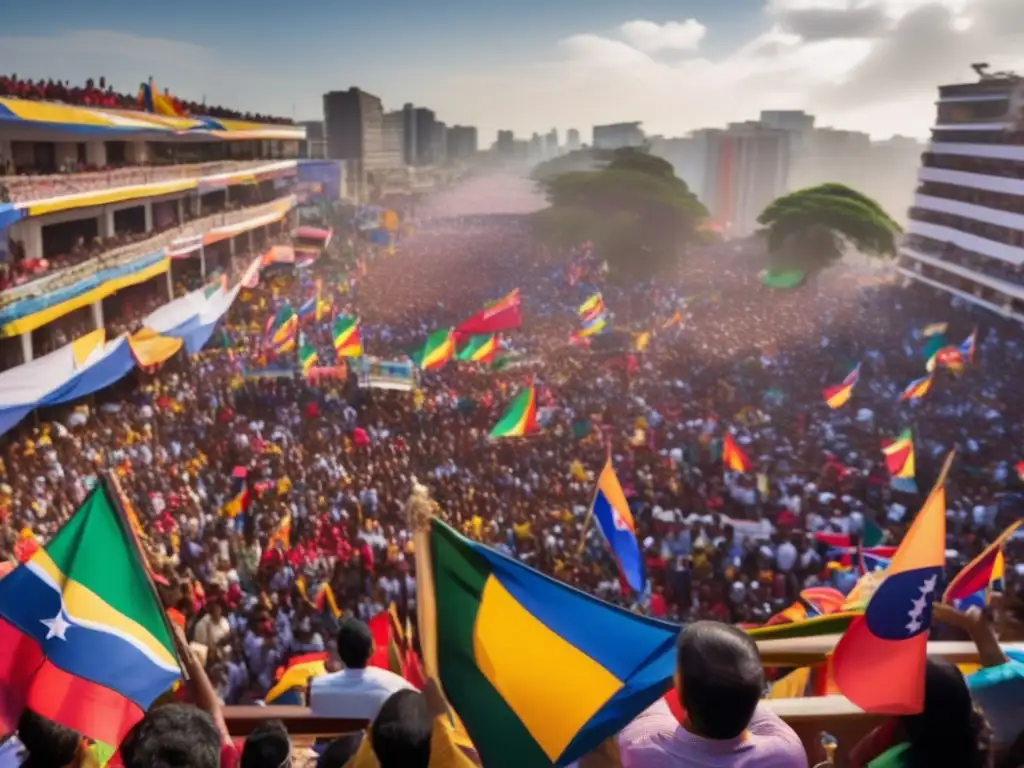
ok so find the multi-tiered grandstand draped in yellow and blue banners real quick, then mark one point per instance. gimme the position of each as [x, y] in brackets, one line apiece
[105, 209]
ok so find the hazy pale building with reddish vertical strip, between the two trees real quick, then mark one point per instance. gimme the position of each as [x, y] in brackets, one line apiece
[746, 167]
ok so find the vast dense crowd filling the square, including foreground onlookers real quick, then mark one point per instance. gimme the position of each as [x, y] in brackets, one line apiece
[330, 467]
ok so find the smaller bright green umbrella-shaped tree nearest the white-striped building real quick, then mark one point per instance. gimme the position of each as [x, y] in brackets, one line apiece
[810, 230]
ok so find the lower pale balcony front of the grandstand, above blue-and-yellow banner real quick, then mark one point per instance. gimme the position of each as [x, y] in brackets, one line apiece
[123, 255]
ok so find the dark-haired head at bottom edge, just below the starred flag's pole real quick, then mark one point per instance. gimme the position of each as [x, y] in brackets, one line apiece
[177, 736]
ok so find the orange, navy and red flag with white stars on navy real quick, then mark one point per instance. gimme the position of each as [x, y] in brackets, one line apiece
[880, 662]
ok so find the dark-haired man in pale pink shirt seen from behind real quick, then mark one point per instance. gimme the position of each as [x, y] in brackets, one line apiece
[720, 681]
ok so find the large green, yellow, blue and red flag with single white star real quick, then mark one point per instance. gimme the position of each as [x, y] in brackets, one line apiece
[84, 641]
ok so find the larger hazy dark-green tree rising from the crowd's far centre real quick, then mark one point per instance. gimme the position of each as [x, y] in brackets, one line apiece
[635, 210]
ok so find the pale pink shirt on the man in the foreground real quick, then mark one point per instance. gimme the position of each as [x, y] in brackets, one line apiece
[656, 740]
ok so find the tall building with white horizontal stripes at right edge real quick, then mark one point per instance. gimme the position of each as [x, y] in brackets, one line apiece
[965, 237]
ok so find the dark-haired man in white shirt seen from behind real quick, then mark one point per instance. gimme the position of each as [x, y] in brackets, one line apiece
[358, 693]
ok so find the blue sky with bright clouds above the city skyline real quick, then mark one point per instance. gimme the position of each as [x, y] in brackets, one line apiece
[535, 65]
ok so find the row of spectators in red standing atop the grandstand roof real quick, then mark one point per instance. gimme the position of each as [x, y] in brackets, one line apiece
[101, 94]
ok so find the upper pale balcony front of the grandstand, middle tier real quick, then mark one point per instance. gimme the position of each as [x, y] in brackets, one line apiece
[25, 190]
